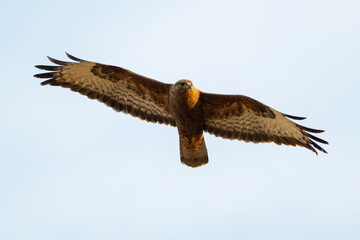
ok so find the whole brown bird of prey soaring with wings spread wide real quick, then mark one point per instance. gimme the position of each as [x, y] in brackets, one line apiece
[181, 105]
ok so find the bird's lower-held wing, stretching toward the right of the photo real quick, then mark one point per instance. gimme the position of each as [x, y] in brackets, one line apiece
[243, 118]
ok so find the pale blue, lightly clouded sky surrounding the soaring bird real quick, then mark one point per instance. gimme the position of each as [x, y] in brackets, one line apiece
[71, 168]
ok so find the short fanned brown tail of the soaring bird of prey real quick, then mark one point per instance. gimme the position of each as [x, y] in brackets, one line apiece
[193, 152]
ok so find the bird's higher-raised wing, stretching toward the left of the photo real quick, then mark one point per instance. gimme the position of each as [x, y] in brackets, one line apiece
[118, 88]
